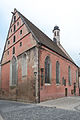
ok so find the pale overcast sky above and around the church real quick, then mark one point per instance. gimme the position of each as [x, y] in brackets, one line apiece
[45, 14]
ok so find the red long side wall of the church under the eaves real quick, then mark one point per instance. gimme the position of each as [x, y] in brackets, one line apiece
[52, 90]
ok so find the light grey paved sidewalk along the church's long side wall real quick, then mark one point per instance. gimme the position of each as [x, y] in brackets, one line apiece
[67, 103]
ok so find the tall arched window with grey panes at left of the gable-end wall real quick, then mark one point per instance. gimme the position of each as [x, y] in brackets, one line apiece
[14, 71]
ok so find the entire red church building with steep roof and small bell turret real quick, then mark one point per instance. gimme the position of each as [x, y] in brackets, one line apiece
[33, 67]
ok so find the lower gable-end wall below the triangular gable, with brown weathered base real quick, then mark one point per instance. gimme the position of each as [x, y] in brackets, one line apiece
[26, 88]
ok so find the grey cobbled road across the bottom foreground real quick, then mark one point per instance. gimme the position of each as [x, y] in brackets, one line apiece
[19, 111]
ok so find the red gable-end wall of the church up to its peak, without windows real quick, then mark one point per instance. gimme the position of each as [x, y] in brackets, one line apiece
[25, 87]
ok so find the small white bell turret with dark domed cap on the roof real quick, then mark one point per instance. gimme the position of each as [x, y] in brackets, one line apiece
[56, 32]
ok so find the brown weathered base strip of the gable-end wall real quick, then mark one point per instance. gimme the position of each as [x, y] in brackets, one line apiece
[18, 94]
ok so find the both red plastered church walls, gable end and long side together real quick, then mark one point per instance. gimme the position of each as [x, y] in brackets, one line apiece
[29, 86]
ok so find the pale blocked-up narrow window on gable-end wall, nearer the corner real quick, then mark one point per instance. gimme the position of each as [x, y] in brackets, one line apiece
[24, 66]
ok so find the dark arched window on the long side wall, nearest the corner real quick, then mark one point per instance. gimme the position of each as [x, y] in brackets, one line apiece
[47, 70]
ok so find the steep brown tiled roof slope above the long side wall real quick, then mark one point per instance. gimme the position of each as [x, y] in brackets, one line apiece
[43, 39]
